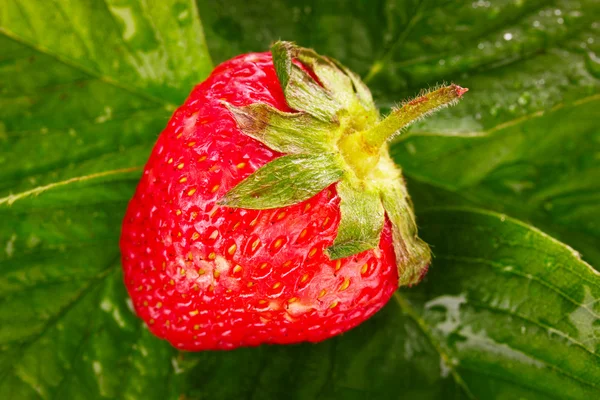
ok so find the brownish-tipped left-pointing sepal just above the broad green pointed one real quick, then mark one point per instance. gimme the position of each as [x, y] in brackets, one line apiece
[290, 133]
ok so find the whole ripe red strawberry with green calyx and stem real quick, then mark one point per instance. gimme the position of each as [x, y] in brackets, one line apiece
[269, 210]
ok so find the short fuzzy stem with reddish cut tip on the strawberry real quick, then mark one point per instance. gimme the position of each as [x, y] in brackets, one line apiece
[411, 112]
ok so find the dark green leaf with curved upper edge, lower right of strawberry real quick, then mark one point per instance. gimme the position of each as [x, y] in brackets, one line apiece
[453, 336]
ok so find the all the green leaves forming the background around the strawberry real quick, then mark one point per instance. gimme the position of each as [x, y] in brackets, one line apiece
[506, 312]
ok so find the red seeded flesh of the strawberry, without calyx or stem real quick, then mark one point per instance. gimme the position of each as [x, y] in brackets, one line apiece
[205, 276]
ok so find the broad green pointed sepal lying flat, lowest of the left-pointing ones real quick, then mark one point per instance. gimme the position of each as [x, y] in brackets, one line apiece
[285, 181]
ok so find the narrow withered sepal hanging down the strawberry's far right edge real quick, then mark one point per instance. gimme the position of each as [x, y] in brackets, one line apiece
[412, 254]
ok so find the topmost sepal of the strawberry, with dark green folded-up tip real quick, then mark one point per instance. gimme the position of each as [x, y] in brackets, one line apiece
[301, 91]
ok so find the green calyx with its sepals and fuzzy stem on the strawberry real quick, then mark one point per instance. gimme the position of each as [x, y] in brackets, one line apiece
[336, 136]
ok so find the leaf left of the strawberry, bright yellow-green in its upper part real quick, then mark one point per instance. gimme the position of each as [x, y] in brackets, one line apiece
[86, 87]
